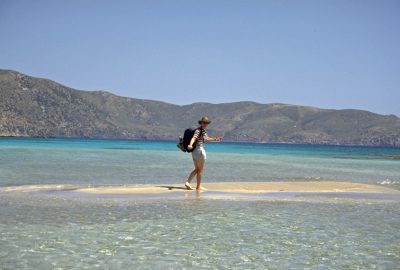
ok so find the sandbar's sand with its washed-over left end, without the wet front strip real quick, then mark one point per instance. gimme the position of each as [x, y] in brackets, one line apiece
[220, 187]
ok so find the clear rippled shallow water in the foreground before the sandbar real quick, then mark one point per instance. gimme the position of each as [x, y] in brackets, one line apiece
[56, 232]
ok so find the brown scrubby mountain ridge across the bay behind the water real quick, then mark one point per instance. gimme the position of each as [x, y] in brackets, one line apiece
[37, 107]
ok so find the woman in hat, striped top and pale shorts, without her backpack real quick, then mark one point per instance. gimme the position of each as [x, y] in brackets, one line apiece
[199, 154]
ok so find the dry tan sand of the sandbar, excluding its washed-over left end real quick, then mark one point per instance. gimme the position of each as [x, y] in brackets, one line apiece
[244, 187]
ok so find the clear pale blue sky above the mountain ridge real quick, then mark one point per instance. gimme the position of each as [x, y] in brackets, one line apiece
[328, 54]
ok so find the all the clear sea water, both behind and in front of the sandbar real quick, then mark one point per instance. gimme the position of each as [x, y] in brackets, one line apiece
[50, 231]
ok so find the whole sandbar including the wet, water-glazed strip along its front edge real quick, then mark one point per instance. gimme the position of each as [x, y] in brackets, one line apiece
[222, 190]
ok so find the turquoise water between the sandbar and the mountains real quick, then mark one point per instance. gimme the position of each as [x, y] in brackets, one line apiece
[27, 161]
